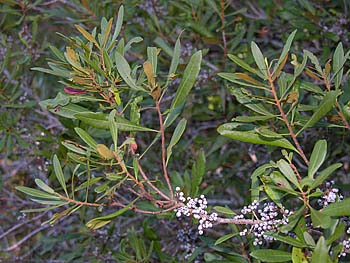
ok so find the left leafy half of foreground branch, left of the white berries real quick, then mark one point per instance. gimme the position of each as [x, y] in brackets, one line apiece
[106, 104]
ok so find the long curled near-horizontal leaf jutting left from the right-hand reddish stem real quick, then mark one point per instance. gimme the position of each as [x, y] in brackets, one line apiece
[246, 133]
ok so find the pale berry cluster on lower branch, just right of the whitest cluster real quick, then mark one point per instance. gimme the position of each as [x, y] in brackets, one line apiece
[269, 218]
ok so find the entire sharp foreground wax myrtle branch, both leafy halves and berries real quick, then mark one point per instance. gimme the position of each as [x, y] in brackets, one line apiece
[109, 102]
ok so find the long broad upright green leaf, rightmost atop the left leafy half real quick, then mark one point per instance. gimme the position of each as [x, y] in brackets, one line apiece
[187, 82]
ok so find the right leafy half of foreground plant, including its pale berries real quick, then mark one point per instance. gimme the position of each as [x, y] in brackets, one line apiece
[300, 215]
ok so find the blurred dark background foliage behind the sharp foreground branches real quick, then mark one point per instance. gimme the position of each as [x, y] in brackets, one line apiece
[30, 135]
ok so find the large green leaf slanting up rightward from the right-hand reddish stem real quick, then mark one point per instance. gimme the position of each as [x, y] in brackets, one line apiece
[326, 105]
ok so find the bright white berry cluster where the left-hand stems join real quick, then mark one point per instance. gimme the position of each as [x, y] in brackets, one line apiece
[195, 207]
